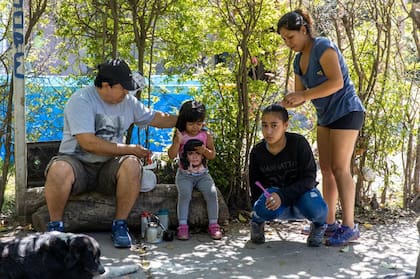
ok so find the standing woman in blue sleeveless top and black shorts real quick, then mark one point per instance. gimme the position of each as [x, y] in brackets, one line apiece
[321, 76]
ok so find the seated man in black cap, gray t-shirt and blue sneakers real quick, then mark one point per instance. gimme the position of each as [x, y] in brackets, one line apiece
[93, 155]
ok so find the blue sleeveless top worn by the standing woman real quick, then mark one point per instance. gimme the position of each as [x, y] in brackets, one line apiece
[334, 106]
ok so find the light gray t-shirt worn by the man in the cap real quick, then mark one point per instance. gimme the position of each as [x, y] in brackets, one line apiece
[86, 112]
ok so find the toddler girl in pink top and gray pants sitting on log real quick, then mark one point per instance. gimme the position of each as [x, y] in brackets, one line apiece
[194, 145]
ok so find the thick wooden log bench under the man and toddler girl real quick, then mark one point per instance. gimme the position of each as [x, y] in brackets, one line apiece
[95, 211]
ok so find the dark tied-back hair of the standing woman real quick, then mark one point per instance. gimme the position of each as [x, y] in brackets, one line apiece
[295, 20]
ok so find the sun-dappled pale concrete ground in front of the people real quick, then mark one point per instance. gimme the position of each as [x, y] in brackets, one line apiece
[381, 252]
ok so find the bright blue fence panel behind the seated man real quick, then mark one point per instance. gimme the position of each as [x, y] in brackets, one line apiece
[46, 98]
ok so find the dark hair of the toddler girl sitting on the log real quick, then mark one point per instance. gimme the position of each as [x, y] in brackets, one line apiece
[191, 111]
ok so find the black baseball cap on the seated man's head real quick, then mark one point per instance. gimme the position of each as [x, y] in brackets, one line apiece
[118, 71]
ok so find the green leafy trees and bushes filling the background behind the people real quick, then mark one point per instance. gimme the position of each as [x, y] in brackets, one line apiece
[375, 38]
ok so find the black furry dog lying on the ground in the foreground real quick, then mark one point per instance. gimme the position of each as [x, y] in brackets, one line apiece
[50, 255]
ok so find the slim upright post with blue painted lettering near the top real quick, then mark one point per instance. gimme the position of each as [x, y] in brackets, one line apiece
[19, 105]
